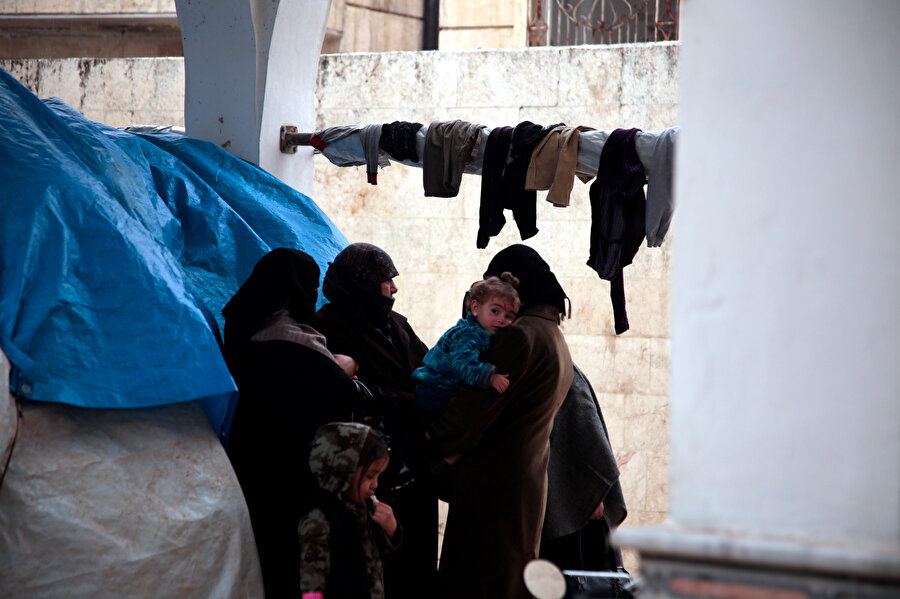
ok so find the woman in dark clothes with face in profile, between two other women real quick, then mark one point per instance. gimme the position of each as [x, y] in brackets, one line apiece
[360, 321]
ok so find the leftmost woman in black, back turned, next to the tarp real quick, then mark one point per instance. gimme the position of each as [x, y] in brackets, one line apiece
[290, 384]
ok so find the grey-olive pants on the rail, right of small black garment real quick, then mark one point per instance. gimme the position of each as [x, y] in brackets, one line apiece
[448, 146]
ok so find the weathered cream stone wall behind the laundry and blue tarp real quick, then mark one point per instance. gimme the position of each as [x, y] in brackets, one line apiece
[432, 240]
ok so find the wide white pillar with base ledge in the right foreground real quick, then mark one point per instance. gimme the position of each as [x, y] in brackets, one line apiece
[785, 382]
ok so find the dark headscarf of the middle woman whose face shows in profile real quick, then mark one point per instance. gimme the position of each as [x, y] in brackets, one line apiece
[353, 283]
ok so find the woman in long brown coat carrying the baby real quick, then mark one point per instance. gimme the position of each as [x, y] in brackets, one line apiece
[499, 483]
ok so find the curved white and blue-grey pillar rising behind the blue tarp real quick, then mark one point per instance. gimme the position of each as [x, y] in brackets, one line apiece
[250, 66]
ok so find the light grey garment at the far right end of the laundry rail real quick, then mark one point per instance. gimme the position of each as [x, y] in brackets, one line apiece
[660, 201]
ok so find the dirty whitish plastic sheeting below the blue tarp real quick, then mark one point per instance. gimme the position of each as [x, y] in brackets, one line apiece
[122, 503]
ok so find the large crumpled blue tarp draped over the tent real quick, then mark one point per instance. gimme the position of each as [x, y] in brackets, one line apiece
[118, 251]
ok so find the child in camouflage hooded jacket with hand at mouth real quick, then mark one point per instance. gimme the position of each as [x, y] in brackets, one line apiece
[340, 544]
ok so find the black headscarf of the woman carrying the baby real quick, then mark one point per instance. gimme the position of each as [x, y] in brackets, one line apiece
[537, 283]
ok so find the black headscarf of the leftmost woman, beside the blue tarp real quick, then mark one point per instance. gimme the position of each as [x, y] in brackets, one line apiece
[283, 279]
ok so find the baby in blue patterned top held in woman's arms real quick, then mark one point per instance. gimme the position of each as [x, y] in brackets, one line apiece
[456, 357]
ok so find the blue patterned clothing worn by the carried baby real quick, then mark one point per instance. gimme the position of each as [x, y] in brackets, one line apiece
[454, 359]
